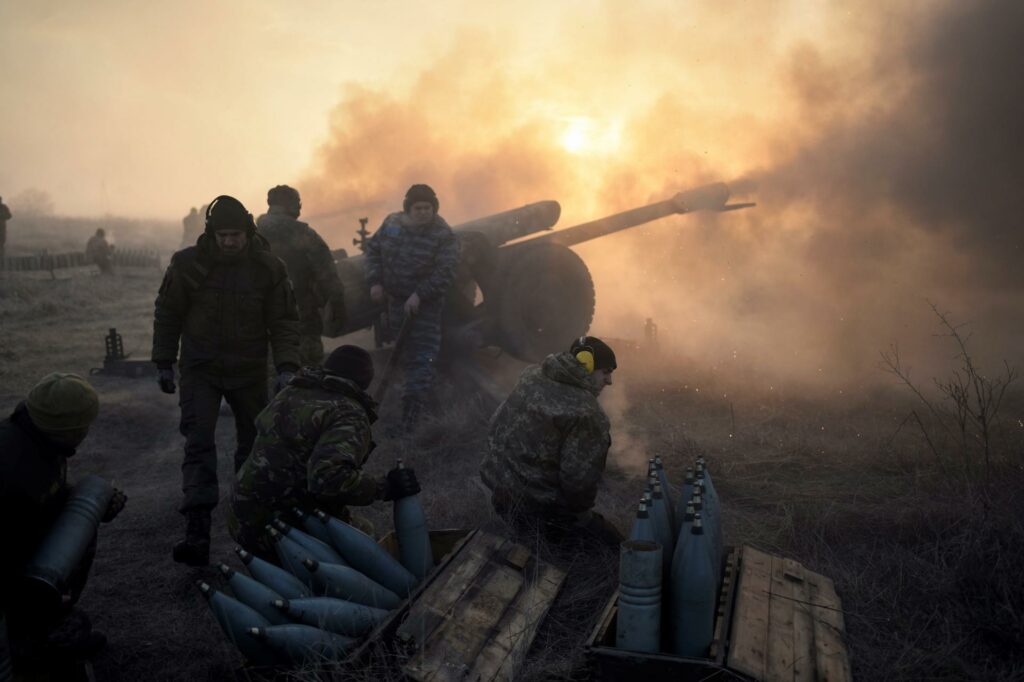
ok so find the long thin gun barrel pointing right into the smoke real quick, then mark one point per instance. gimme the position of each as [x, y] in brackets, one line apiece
[710, 198]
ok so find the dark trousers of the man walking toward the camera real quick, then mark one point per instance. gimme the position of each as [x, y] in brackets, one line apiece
[200, 401]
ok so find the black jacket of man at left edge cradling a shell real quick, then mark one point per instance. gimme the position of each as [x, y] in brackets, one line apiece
[33, 489]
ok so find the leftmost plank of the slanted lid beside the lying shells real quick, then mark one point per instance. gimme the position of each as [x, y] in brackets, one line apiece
[453, 647]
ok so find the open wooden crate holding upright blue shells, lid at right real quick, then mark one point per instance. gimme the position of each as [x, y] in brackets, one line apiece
[776, 621]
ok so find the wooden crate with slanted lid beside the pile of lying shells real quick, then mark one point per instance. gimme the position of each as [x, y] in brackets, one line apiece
[475, 617]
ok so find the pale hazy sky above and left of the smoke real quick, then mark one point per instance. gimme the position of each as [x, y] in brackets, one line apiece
[146, 109]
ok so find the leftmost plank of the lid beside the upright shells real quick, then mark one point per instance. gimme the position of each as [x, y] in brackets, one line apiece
[748, 653]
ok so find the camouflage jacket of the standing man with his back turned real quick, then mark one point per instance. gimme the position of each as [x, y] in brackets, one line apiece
[311, 266]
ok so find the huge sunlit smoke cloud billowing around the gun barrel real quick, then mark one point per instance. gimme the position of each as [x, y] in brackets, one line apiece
[880, 146]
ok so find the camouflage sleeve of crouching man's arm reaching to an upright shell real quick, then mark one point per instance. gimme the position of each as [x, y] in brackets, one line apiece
[335, 476]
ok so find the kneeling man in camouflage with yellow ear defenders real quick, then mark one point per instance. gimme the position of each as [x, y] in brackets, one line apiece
[548, 443]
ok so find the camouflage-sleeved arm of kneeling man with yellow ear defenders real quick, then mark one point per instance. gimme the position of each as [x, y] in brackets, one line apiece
[584, 453]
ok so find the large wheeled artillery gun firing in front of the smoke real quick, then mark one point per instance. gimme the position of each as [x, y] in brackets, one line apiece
[537, 293]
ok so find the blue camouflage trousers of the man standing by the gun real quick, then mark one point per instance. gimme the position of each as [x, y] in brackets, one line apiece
[419, 357]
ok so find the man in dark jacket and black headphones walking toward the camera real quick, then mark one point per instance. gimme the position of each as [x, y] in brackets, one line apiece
[225, 300]
